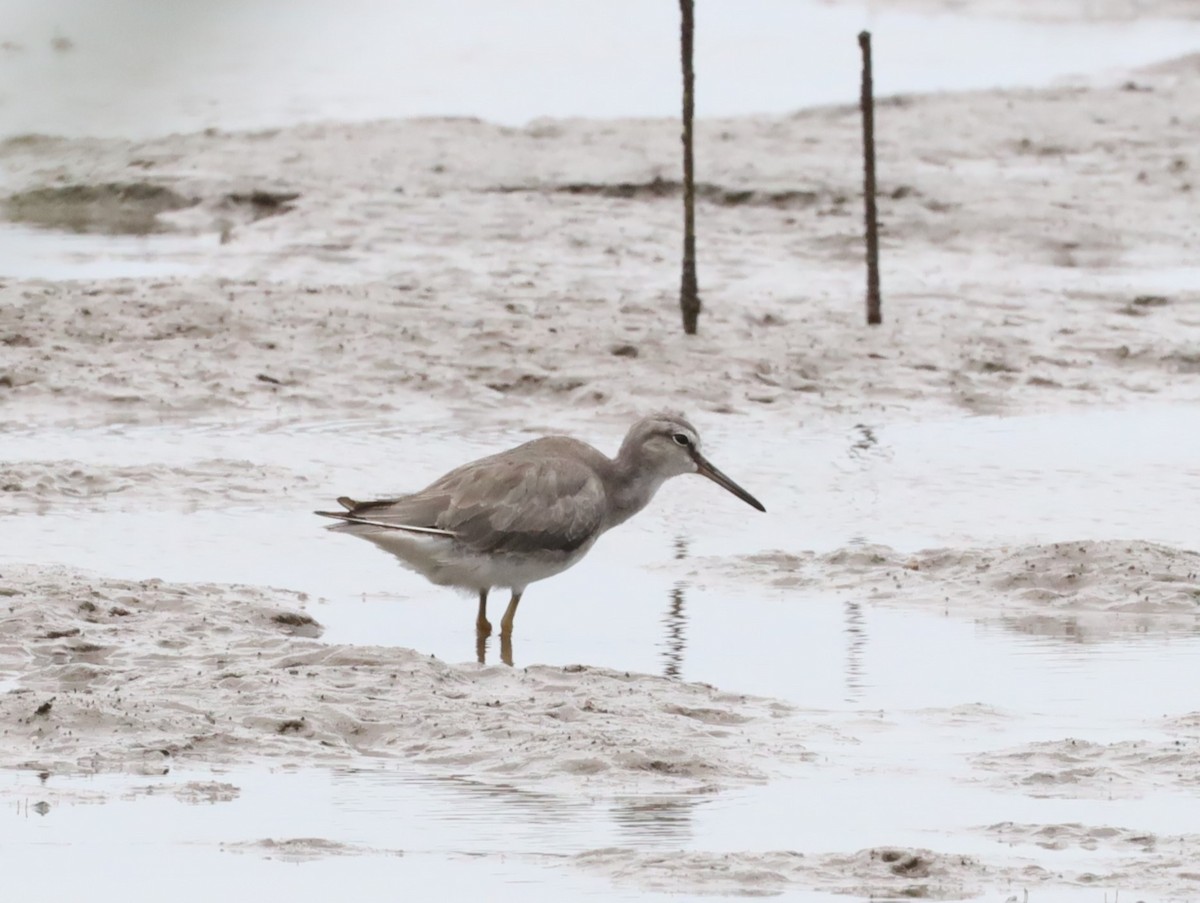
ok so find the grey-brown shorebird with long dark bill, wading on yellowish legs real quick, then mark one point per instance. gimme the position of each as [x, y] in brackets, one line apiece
[529, 513]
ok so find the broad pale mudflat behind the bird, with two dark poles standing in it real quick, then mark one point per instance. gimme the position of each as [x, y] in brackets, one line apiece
[1035, 258]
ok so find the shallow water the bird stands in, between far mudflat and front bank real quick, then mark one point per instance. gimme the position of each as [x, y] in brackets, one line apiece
[639, 601]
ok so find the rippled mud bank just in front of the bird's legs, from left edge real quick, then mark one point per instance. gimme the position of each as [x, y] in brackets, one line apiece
[111, 675]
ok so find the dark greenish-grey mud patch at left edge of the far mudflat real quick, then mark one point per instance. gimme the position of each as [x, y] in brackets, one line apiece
[109, 210]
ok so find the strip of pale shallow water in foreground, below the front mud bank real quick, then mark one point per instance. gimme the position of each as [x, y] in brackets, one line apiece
[455, 836]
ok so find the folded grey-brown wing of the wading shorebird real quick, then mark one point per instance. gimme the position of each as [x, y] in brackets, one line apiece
[508, 504]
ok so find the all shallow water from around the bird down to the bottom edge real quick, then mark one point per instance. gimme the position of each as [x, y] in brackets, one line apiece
[643, 602]
